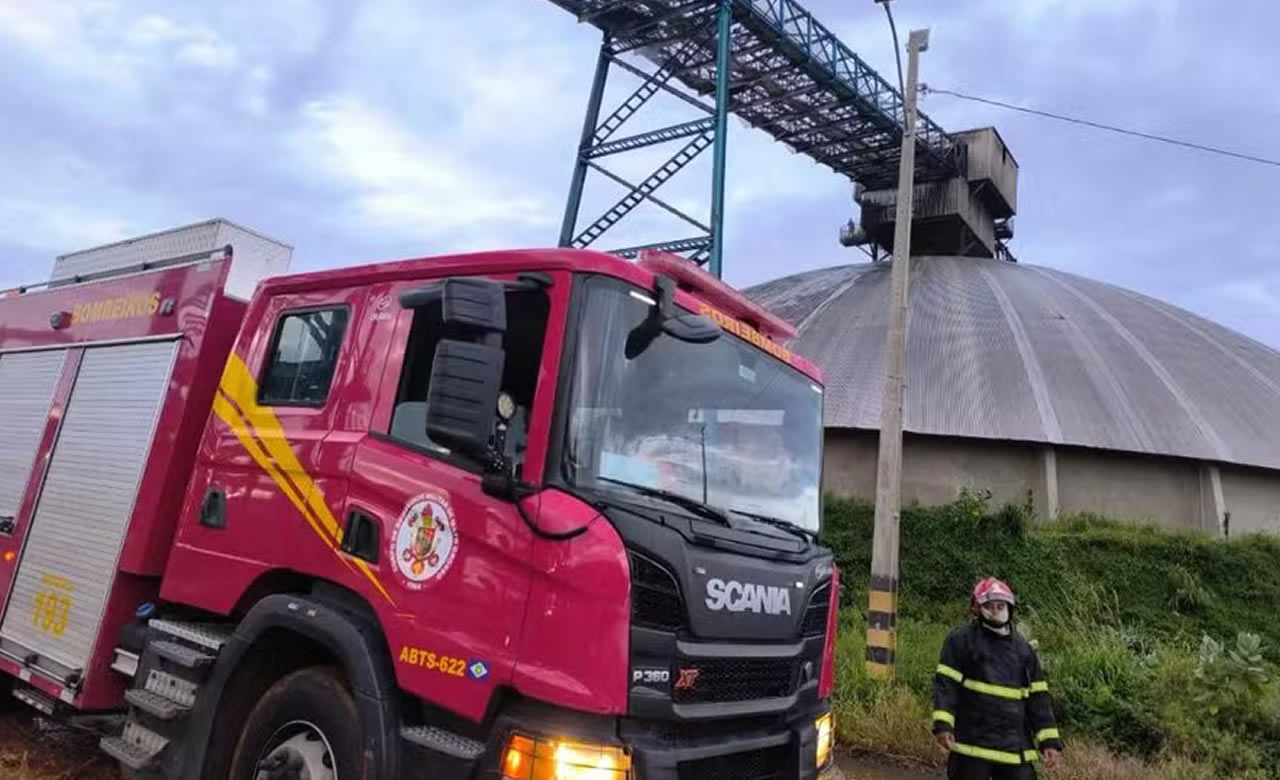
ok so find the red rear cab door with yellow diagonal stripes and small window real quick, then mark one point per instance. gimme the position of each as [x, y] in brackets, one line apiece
[276, 499]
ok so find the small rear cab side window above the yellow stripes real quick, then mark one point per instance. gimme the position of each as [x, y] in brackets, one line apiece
[303, 358]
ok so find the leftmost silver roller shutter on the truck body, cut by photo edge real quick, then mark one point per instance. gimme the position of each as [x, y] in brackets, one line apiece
[28, 384]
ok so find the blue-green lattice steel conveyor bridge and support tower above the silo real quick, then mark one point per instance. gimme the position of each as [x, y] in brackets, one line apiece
[770, 63]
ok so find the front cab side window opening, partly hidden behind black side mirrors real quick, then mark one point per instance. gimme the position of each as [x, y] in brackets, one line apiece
[523, 344]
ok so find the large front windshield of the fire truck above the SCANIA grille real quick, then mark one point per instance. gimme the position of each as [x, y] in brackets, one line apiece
[724, 423]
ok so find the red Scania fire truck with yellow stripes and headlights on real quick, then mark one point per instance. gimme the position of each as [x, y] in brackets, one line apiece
[524, 516]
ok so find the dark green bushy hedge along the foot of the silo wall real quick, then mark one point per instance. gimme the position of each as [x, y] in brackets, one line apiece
[1174, 585]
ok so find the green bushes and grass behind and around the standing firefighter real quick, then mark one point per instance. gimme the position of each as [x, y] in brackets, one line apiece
[1159, 646]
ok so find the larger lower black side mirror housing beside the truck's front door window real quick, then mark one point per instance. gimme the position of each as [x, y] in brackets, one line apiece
[463, 395]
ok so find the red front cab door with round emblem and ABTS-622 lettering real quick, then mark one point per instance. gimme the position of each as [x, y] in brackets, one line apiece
[455, 562]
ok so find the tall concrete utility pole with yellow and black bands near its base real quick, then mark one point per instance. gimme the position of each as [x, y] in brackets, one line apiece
[883, 610]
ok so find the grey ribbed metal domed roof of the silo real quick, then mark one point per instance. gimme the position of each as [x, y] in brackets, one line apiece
[1020, 353]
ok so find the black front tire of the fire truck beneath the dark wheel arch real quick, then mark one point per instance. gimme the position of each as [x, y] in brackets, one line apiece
[303, 717]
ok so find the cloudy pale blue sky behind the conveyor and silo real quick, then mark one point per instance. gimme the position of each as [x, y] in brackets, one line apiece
[362, 131]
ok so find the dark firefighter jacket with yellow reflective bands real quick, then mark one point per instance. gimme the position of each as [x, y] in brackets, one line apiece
[991, 692]
